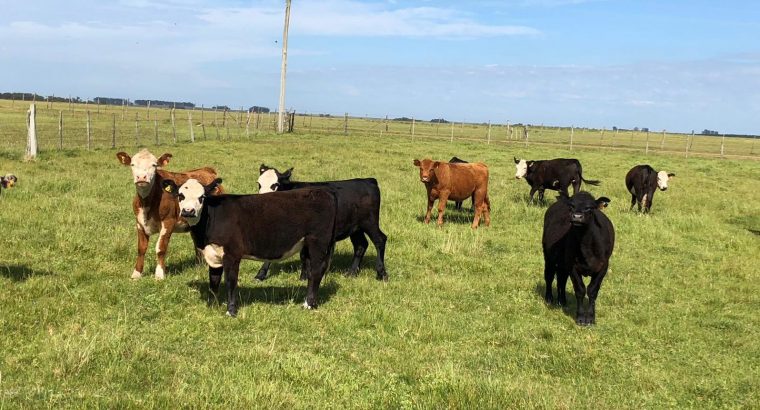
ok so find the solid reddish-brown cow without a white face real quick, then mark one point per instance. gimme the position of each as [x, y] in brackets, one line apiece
[444, 181]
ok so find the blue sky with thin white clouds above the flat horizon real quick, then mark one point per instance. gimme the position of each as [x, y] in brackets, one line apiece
[674, 65]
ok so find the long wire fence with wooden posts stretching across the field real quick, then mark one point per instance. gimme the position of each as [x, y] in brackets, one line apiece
[63, 126]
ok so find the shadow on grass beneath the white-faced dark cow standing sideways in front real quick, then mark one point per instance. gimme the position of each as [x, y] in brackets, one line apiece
[274, 295]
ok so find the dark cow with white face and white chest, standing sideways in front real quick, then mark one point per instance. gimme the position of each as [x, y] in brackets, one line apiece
[229, 228]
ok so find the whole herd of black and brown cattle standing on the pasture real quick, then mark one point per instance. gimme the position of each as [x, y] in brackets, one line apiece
[578, 238]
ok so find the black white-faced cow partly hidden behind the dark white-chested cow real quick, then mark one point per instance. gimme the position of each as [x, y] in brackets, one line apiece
[358, 214]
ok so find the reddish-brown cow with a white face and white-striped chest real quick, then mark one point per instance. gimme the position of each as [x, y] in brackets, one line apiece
[155, 210]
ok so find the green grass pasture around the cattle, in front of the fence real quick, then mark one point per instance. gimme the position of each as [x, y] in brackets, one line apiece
[460, 324]
